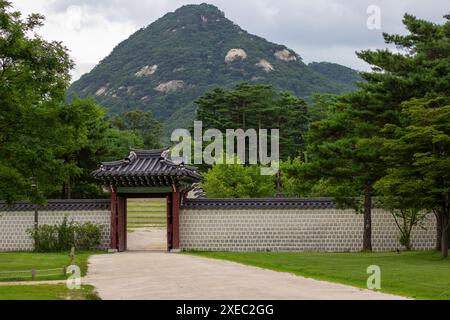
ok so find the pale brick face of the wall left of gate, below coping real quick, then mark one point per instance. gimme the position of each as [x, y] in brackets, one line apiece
[14, 224]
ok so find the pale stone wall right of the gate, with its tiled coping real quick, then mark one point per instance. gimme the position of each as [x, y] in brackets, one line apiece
[288, 225]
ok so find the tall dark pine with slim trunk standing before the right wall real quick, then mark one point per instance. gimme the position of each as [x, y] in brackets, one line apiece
[345, 145]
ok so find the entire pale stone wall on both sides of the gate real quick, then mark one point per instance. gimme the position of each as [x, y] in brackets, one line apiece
[233, 225]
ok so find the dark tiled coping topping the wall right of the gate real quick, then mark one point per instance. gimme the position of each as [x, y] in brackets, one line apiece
[276, 203]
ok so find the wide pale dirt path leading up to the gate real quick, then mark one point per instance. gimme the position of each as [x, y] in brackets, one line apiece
[157, 275]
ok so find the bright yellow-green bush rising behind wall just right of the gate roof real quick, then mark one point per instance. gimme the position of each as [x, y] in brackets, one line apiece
[237, 181]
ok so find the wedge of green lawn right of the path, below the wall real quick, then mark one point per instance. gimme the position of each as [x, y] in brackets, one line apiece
[420, 275]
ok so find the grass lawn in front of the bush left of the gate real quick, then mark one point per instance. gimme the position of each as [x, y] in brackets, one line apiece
[17, 266]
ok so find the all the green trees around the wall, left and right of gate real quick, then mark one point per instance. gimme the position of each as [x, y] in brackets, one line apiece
[389, 141]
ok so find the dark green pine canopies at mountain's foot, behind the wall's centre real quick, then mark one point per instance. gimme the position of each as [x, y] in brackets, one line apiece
[248, 106]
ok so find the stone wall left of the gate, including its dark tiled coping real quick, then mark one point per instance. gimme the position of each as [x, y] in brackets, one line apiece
[16, 220]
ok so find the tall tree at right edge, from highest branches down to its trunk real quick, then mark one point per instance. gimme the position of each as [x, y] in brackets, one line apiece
[416, 146]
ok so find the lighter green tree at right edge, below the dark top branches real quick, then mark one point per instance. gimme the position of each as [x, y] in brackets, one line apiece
[419, 153]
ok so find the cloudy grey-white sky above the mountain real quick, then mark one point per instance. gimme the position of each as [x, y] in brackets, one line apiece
[318, 30]
